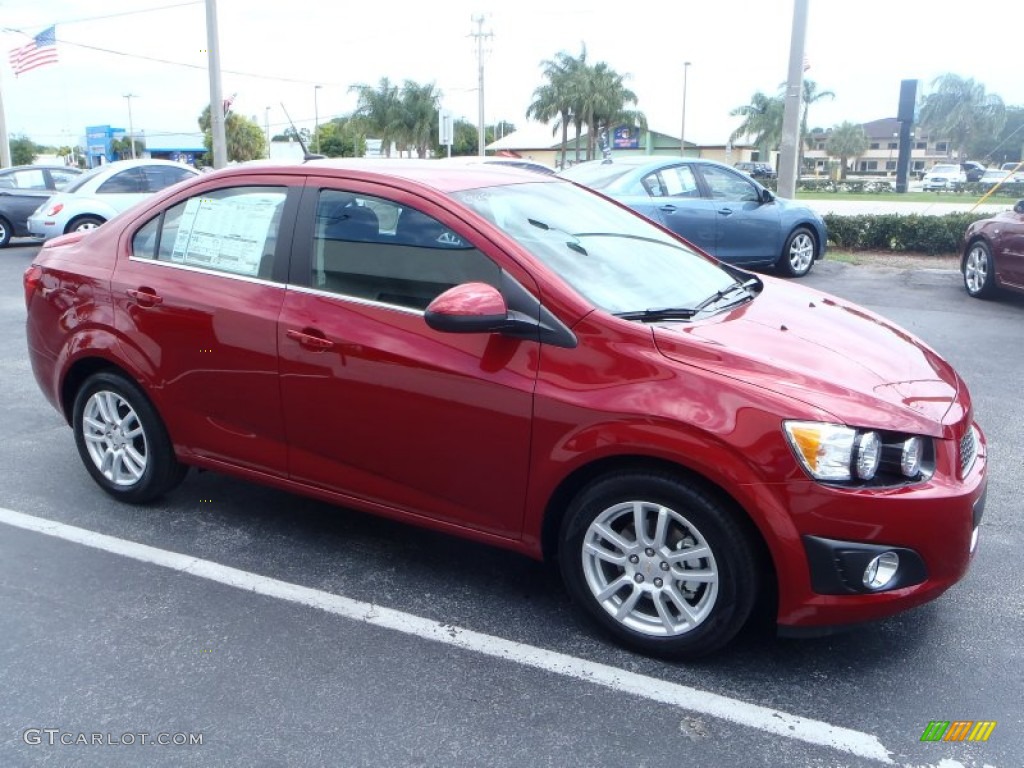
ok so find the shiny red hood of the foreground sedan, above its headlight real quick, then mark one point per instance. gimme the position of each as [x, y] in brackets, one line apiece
[826, 353]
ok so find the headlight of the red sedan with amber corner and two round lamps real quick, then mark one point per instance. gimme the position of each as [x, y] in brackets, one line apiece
[835, 453]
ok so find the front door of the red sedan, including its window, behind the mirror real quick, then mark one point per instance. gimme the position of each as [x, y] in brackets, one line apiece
[379, 407]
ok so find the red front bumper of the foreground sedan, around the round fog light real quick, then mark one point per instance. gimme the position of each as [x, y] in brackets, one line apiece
[933, 528]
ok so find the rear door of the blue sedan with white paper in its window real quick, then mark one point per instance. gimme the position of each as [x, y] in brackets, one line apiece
[673, 199]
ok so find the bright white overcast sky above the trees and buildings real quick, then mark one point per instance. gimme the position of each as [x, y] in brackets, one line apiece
[274, 54]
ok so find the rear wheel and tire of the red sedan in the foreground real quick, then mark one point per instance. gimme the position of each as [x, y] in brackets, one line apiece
[138, 467]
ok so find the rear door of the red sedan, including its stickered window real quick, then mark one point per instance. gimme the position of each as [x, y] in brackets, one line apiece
[197, 296]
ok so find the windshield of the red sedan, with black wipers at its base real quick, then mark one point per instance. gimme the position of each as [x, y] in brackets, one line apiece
[615, 259]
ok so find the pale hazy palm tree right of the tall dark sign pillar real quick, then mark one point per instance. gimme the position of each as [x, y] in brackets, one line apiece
[961, 110]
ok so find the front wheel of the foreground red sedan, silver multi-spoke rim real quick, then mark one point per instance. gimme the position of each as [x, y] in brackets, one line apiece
[652, 618]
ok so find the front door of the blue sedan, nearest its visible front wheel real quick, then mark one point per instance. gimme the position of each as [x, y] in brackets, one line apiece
[747, 230]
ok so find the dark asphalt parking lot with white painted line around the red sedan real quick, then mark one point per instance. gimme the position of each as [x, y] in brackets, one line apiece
[284, 632]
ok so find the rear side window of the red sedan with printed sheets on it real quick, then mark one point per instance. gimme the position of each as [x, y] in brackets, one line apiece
[232, 231]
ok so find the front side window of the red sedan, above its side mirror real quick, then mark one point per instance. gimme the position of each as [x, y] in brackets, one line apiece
[378, 250]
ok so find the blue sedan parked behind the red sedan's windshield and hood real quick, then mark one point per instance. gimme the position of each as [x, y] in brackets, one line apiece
[715, 207]
